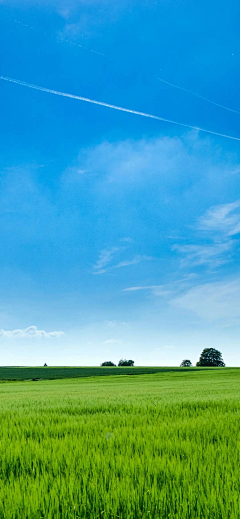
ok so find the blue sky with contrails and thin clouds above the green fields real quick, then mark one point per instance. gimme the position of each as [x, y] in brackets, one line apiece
[119, 232]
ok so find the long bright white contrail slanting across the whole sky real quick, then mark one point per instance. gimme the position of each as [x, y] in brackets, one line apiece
[114, 107]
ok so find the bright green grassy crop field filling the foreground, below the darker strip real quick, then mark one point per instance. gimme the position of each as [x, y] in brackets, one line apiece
[163, 445]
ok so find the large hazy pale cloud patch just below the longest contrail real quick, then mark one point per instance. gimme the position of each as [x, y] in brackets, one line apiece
[172, 160]
